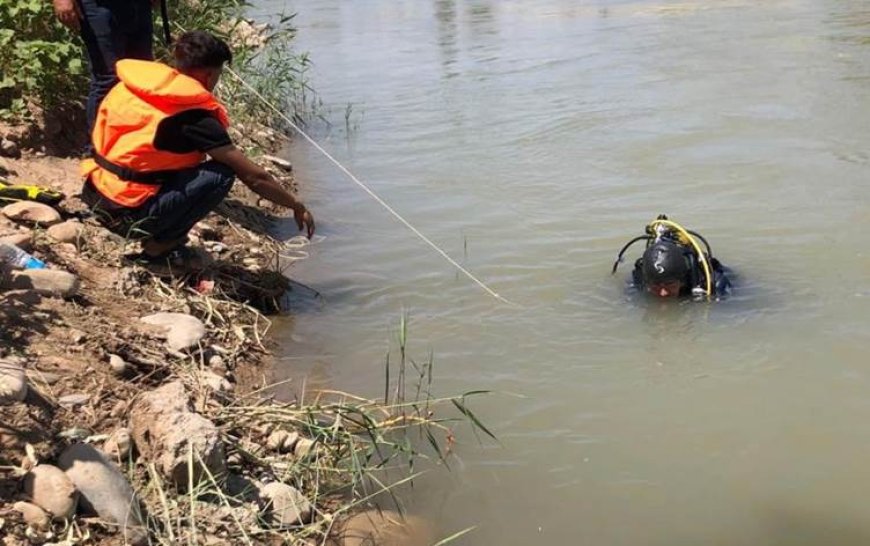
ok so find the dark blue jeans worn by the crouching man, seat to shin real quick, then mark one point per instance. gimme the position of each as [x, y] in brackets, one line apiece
[185, 199]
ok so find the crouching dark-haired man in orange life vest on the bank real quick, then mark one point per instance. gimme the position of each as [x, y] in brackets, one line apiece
[148, 177]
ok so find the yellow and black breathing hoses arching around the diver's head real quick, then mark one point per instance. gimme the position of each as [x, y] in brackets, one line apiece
[662, 230]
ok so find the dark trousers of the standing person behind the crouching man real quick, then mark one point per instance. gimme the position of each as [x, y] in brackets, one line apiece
[113, 30]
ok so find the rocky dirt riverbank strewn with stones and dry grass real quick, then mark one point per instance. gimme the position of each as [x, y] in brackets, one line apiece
[135, 404]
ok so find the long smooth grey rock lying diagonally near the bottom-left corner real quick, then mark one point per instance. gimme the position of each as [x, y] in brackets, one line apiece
[105, 491]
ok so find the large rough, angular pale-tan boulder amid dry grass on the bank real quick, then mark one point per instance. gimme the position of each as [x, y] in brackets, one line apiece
[164, 431]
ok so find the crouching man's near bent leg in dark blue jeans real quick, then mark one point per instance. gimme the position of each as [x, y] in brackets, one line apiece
[184, 201]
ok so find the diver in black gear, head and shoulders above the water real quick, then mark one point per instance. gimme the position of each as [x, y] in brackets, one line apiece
[674, 264]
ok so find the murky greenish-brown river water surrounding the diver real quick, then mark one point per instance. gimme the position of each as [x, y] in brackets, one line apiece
[530, 140]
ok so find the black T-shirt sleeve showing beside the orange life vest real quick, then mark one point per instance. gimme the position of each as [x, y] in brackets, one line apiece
[190, 131]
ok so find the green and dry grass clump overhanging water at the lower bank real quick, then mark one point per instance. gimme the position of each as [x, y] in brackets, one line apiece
[352, 453]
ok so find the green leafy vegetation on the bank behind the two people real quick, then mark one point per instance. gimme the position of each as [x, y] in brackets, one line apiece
[42, 63]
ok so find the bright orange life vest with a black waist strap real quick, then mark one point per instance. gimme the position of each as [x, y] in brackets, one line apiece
[126, 125]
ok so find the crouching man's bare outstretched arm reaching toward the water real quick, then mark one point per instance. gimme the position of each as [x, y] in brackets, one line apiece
[263, 184]
